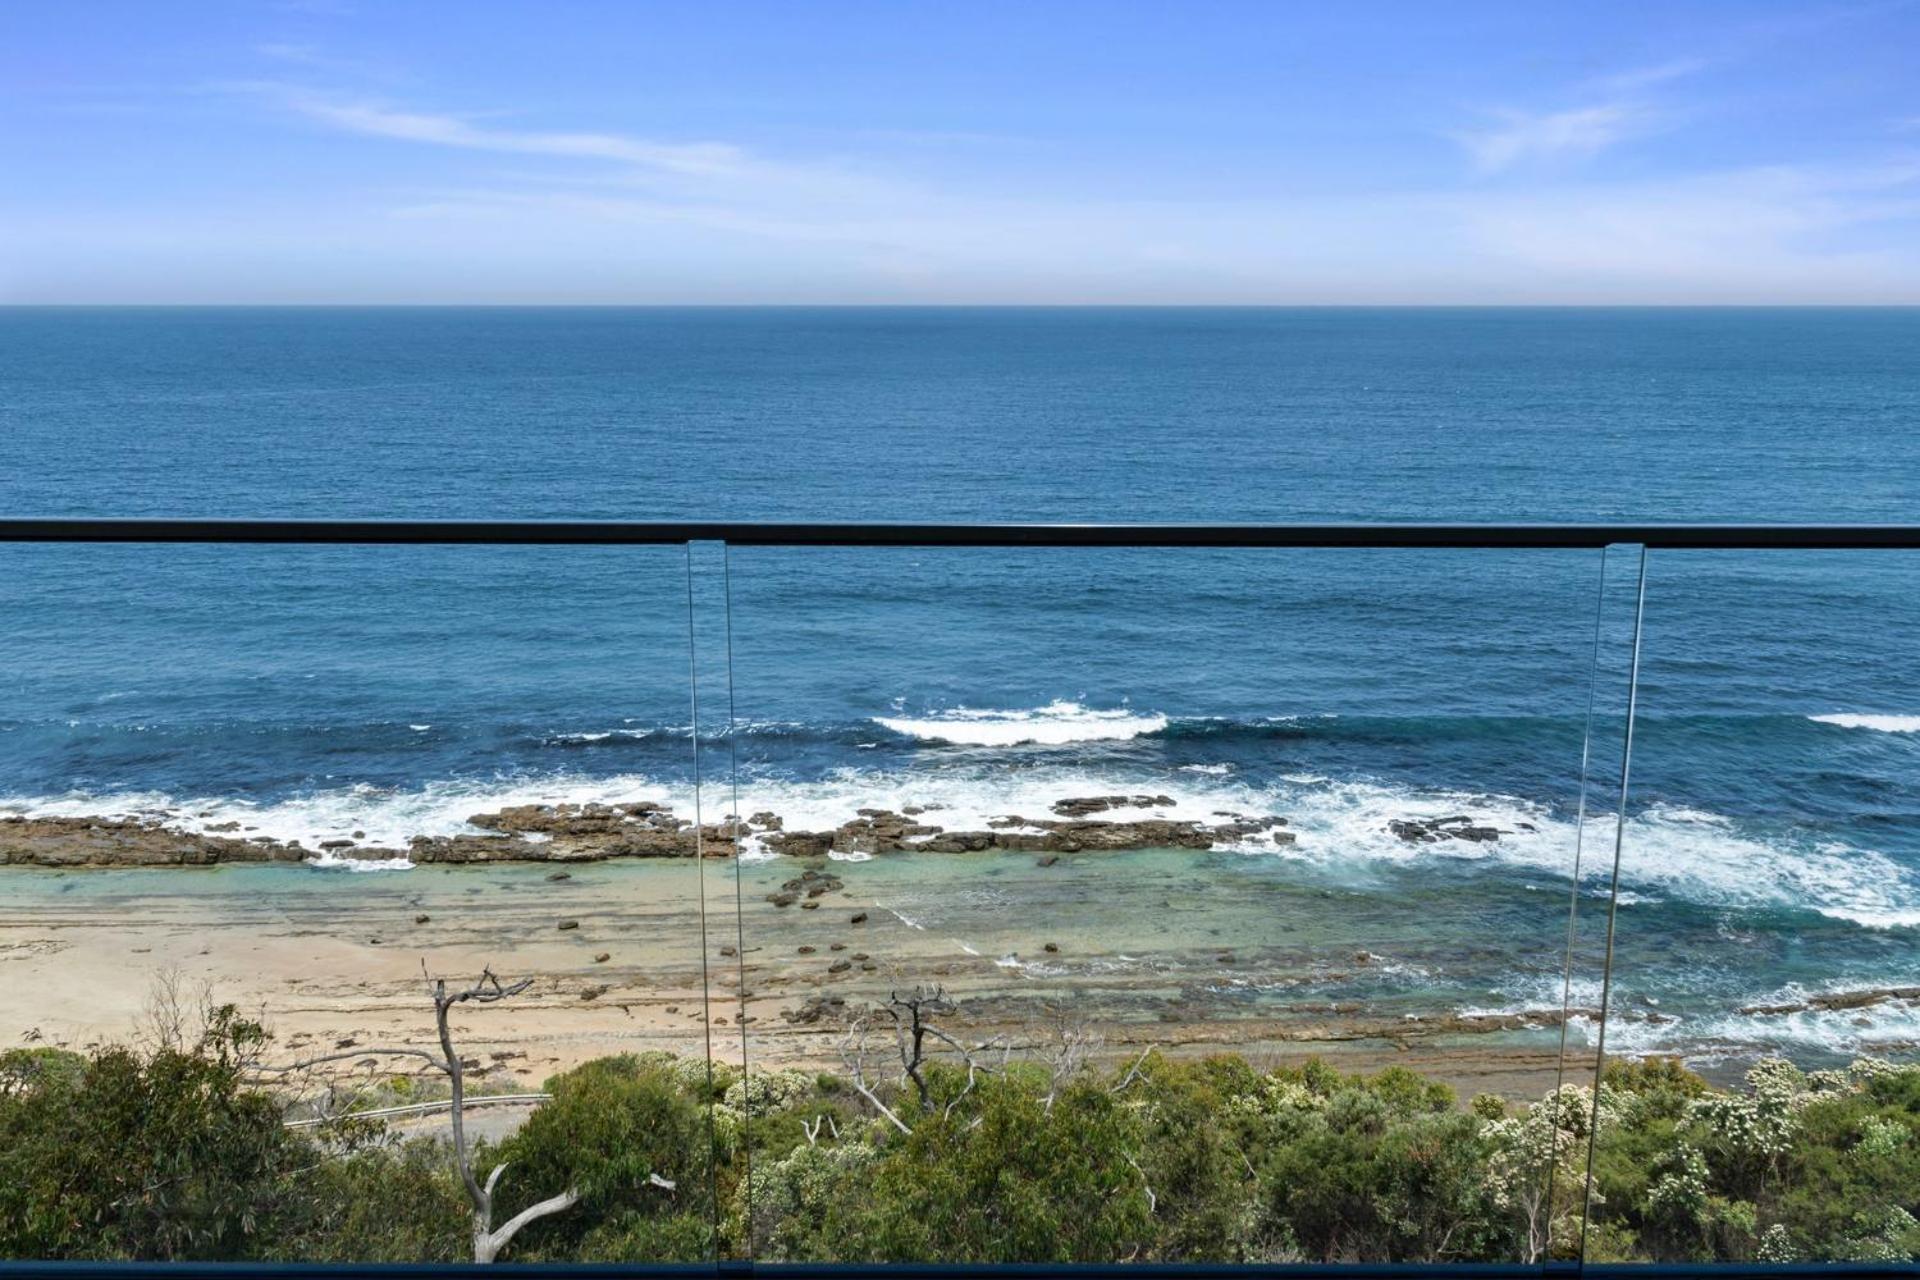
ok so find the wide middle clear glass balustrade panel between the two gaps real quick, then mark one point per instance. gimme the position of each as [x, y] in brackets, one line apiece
[1155, 905]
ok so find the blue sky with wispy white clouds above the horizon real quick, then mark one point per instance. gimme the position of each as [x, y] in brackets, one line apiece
[967, 153]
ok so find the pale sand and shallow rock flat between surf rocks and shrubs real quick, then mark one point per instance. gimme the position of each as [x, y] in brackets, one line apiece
[1149, 951]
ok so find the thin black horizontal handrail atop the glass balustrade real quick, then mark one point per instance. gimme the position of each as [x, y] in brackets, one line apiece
[828, 534]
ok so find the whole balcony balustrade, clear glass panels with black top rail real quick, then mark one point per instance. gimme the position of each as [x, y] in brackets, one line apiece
[1499, 899]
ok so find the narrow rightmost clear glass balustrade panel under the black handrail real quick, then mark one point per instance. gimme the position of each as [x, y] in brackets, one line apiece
[1764, 1081]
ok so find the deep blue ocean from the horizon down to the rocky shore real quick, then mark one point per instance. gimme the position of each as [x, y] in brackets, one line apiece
[396, 690]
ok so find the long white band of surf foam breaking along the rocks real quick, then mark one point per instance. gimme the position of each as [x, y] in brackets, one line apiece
[1668, 851]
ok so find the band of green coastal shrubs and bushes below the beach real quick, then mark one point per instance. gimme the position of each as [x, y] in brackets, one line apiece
[923, 1147]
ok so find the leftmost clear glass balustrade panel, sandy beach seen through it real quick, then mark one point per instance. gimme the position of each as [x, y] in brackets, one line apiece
[300, 843]
